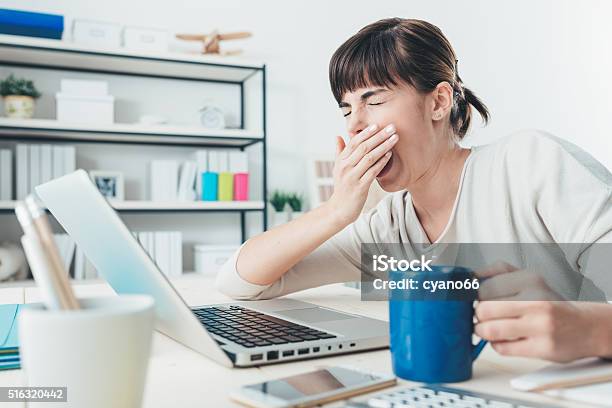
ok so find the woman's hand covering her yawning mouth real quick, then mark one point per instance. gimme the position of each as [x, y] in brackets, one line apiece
[356, 166]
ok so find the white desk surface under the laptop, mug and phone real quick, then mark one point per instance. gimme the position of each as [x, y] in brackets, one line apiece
[179, 377]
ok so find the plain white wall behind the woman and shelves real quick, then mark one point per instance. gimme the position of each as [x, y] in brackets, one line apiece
[537, 64]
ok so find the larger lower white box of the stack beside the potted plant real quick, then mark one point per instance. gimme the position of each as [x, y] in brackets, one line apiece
[97, 110]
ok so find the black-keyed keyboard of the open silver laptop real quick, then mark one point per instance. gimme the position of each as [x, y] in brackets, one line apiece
[251, 328]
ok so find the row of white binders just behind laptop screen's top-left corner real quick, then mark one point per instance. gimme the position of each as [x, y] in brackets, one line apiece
[37, 164]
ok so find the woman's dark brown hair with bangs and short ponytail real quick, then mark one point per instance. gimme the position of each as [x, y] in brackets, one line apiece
[403, 50]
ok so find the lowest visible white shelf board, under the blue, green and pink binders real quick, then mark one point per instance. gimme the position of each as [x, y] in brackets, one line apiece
[170, 206]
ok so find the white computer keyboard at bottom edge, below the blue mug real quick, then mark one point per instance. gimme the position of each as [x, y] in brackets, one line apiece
[434, 396]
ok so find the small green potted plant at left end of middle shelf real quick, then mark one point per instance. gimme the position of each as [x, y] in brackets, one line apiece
[19, 95]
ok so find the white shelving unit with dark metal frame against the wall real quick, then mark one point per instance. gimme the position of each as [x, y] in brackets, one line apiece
[248, 76]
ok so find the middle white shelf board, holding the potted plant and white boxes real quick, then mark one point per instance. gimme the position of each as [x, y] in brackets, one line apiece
[126, 133]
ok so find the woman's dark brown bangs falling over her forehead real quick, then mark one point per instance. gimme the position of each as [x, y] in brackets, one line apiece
[368, 59]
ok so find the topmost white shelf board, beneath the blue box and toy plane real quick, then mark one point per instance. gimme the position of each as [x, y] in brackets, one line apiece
[30, 51]
